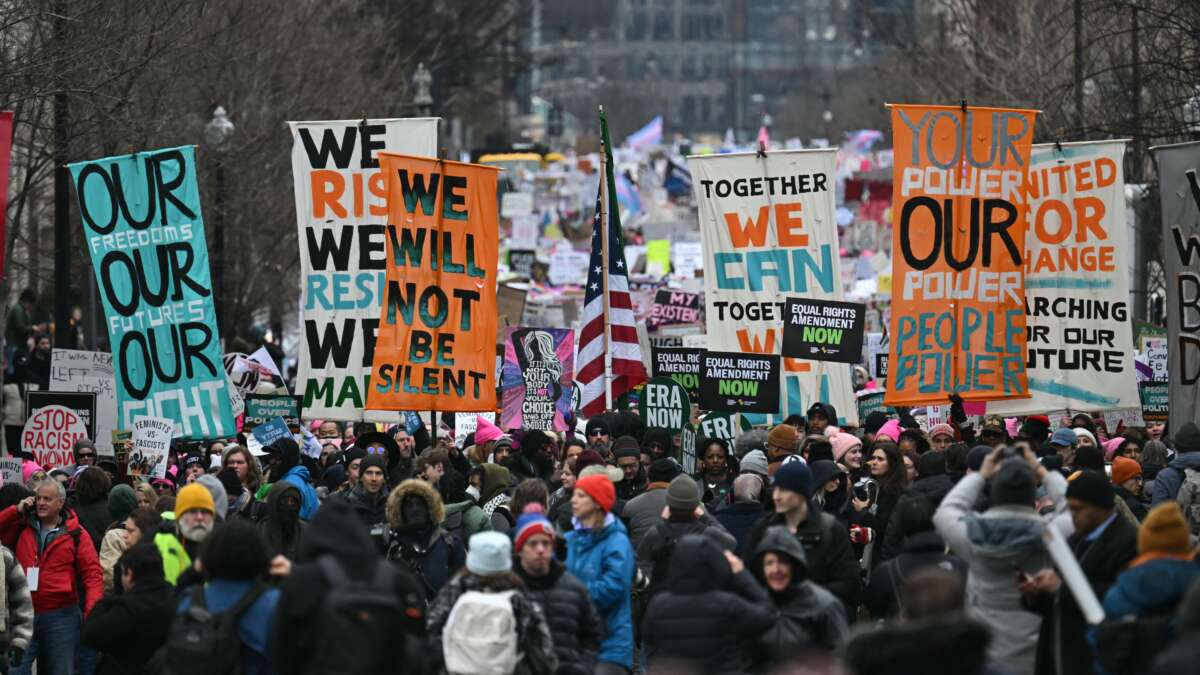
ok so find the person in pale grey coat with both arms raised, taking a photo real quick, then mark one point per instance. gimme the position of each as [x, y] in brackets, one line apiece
[1003, 547]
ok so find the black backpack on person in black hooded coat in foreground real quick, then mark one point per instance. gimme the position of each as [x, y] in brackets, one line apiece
[357, 618]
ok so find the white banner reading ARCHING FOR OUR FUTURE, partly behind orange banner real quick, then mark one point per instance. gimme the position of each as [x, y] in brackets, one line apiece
[1077, 283]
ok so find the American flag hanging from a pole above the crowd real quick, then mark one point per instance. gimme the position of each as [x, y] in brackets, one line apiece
[628, 371]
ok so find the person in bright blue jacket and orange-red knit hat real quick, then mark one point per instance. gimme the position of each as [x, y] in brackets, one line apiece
[599, 554]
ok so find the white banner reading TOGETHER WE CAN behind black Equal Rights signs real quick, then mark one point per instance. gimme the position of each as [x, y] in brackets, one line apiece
[770, 232]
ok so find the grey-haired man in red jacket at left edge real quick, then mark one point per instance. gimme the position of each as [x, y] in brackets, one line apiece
[58, 557]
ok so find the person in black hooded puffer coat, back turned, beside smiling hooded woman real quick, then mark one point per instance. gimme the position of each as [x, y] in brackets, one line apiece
[710, 600]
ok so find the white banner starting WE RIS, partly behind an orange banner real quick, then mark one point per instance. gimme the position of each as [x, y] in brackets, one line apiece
[341, 214]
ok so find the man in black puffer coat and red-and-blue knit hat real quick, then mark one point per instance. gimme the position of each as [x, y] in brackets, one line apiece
[574, 622]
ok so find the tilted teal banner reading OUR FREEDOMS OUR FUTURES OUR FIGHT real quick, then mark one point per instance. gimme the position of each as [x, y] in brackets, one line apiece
[143, 229]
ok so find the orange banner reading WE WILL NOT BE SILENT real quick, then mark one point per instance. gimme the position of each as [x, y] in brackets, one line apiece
[436, 348]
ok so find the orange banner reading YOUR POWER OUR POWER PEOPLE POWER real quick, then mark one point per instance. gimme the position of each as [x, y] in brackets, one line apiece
[958, 232]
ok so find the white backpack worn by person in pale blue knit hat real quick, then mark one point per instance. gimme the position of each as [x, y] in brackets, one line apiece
[481, 636]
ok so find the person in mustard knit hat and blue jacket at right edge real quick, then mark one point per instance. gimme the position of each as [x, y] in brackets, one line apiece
[1141, 607]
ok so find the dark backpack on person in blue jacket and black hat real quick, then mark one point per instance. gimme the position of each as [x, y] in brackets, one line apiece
[201, 643]
